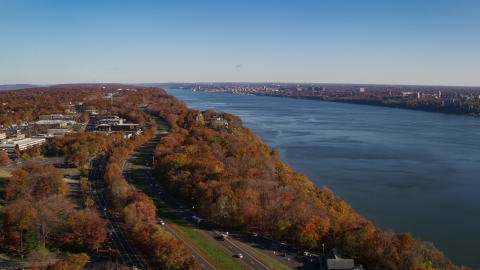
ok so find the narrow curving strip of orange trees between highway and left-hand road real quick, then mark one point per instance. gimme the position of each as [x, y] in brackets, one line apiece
[139, 211]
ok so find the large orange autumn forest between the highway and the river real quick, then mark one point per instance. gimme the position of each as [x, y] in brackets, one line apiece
[237, 181]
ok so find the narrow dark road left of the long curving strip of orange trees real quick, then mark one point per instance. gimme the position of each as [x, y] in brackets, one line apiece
[118, 240]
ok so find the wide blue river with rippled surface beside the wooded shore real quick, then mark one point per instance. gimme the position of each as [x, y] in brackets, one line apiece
[408, 171]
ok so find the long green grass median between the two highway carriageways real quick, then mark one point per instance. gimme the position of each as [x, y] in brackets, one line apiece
[215, 254]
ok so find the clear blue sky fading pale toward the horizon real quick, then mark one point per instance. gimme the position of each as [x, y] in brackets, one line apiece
[372, 42]
